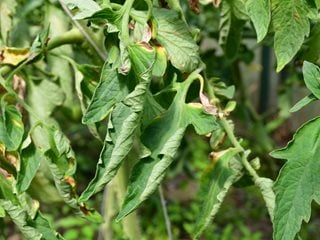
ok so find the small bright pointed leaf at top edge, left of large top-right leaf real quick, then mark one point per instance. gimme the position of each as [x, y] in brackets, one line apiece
[259, 12]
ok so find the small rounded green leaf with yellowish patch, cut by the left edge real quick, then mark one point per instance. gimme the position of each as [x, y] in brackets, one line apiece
[11, 127]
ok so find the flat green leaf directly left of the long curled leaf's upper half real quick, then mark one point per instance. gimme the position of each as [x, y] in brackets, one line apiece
[112, 88]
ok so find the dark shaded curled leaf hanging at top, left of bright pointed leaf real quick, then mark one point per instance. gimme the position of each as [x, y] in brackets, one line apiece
[230, 30]
